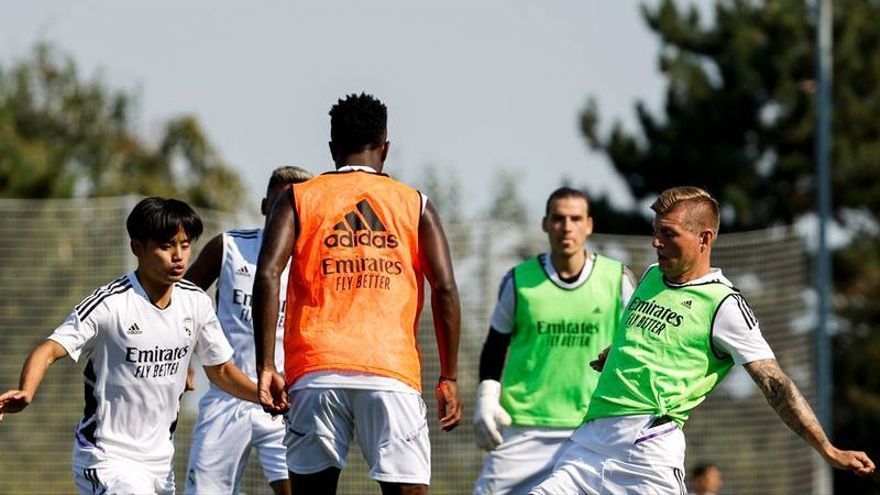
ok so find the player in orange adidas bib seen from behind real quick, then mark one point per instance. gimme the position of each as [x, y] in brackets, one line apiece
[361, 245]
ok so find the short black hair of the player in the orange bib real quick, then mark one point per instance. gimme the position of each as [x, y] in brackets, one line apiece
[358, 122]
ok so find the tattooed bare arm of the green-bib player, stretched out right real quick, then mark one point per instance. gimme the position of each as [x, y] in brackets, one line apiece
[788, 402]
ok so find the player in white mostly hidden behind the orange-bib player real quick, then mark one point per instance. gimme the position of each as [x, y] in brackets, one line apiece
[227, 428]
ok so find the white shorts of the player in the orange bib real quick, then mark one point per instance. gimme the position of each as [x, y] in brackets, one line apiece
[391, 429]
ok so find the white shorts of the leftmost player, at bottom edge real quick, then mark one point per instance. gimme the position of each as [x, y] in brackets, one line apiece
[116, 477]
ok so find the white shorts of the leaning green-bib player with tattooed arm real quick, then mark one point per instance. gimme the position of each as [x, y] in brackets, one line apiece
[620, 456]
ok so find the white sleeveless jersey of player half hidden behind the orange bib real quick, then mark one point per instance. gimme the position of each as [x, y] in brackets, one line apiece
[234, 296]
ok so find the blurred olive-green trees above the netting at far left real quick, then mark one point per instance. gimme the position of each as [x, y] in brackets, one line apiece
[62, 135]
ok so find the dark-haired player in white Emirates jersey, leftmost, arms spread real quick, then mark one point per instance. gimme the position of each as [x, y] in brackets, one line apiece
[136, 336]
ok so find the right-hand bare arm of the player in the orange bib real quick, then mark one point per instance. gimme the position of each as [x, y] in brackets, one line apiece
[437, 265]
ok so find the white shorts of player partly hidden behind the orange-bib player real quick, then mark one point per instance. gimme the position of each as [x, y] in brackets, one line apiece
[223, 435]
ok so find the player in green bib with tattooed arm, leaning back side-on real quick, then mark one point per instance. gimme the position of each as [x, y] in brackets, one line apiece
[683, 329]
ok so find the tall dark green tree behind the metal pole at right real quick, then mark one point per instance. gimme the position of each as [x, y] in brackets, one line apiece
[739, 119]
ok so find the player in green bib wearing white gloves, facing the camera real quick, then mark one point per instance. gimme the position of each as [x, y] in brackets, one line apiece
[554, 314]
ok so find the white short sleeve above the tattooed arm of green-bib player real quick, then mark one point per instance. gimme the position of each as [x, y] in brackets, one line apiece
[735, 332]
